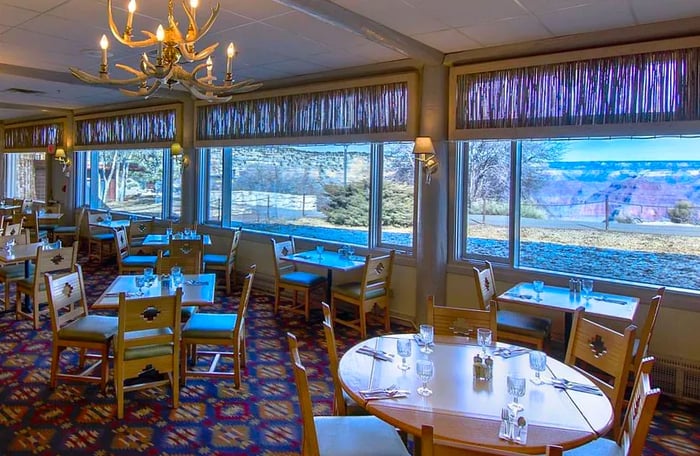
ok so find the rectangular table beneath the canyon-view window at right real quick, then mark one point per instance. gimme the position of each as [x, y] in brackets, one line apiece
[616, 307]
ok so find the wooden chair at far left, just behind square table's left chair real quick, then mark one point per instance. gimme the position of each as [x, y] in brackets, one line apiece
[57, 261]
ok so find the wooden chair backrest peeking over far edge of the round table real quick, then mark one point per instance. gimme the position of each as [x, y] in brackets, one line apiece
[454, 321]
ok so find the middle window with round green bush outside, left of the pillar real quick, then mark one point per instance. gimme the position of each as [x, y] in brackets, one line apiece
[324, 192]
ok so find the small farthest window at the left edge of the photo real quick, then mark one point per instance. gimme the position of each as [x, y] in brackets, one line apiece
[25, 175]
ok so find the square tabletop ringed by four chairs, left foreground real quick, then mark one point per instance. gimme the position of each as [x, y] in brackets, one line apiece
[197, 290]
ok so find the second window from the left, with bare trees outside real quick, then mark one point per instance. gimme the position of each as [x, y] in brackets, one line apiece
[132, 181]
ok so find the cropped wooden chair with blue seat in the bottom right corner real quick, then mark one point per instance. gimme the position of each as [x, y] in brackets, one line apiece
[637, 420]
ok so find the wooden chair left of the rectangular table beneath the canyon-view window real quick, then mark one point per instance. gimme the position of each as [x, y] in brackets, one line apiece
[512, 326]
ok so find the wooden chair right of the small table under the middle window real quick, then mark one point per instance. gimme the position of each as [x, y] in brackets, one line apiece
[372, 291]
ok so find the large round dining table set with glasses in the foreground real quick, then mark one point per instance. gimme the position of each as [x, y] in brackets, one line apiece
[468, 410]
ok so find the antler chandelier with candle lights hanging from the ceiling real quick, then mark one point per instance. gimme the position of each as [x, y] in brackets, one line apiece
[172, 47]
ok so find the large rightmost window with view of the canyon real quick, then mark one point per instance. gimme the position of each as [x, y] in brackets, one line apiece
[625, 209]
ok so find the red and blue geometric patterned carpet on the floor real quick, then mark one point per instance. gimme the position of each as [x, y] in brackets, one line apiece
[213, 418]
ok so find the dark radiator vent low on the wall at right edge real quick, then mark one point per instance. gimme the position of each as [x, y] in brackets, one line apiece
[677, 377]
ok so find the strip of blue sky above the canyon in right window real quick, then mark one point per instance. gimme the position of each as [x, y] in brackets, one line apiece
[661, 149]
